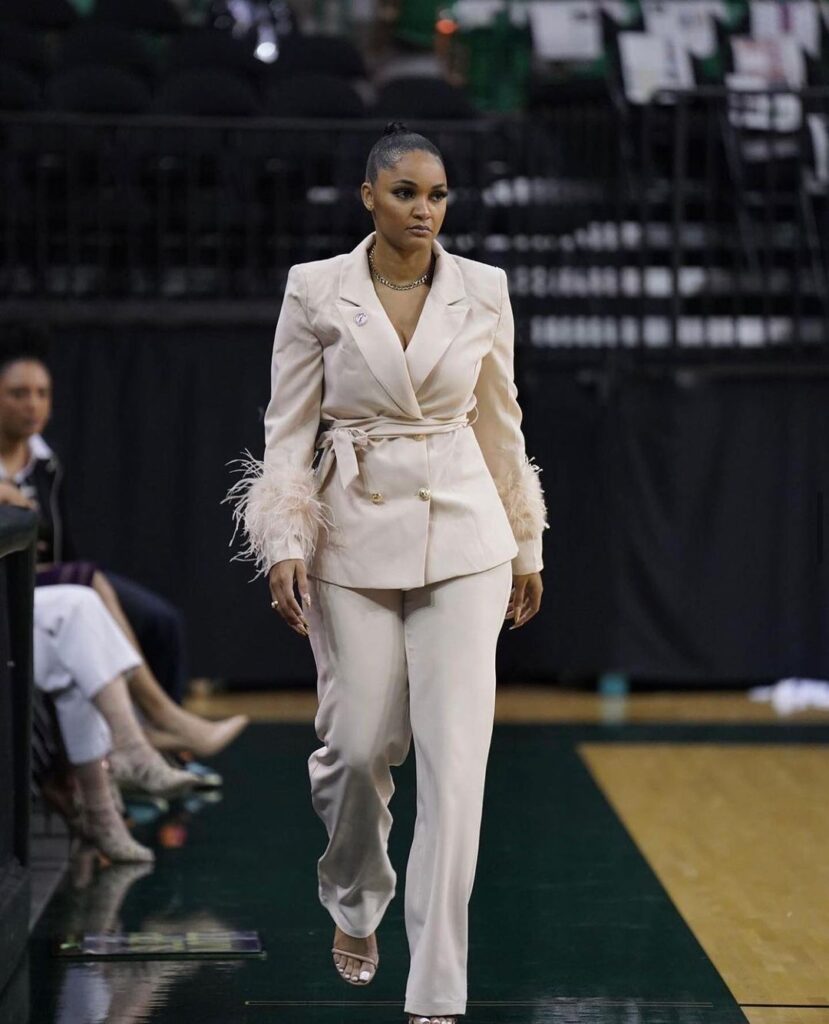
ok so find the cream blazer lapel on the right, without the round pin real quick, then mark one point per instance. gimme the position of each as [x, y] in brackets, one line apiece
[442, 319]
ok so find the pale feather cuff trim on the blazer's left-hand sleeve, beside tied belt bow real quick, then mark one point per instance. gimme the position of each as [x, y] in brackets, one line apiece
[278, 509]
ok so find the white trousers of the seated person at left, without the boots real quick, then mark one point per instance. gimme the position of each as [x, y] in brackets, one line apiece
[78, 650]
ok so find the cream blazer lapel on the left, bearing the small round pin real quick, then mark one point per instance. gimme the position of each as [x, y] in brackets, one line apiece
[373, 332]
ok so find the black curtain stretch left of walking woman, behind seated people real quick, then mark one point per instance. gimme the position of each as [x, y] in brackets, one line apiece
[147, 422]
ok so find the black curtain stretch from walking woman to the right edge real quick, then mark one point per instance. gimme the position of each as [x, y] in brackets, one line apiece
[687, 522]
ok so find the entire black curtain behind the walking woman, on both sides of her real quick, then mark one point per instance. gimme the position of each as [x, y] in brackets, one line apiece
[686, 514]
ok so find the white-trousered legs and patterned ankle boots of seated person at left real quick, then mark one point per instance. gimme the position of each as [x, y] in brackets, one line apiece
[83, 660]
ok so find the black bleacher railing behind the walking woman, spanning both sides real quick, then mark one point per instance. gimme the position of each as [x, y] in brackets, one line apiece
[694, 225]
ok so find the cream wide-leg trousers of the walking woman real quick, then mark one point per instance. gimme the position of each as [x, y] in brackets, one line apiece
[392, 665]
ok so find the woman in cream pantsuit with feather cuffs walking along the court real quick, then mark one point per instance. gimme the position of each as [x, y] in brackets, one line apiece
[405, 532]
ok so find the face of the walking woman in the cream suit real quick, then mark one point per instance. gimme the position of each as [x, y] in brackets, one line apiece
[409, 201]
